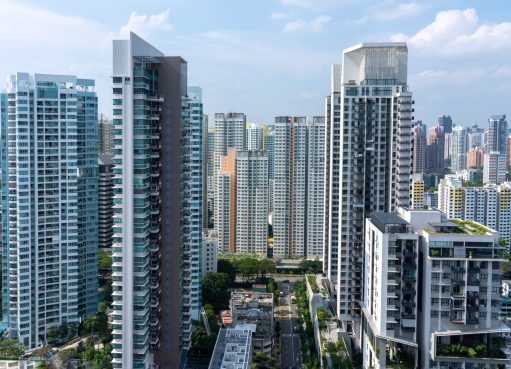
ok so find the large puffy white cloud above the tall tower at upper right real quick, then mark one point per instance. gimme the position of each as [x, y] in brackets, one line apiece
[459, 32]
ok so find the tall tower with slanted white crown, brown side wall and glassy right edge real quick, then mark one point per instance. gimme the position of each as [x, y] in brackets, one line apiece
[157, 207]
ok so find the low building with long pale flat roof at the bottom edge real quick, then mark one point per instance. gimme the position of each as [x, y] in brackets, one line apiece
[232, 349]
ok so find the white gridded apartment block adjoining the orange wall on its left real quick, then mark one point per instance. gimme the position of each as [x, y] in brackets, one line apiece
[252, 202]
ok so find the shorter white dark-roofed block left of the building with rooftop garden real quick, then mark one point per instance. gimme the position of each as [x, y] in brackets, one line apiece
[390, 291]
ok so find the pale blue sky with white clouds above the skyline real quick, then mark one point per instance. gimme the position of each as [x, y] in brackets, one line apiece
[273, 57]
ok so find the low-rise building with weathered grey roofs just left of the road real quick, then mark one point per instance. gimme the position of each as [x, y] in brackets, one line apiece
[255, 308]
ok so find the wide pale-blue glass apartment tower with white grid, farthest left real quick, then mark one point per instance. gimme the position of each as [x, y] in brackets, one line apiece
[50, 217]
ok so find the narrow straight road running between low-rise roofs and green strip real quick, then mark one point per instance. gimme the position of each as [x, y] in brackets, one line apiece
[290, 355]
